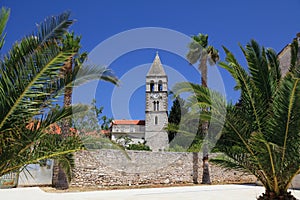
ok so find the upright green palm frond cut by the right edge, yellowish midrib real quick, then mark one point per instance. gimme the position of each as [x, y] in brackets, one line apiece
[286, 109]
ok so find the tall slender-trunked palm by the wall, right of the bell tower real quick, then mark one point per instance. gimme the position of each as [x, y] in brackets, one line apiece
[199, 50]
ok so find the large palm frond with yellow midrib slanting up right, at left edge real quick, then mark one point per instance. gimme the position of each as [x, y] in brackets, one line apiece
[44, 63]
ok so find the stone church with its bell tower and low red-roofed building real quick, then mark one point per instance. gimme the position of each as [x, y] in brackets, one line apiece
[152, 130]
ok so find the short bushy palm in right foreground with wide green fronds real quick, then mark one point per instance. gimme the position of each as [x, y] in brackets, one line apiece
[261, 132]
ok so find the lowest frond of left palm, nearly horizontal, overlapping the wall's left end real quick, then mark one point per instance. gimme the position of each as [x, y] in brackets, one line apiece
[33, 146]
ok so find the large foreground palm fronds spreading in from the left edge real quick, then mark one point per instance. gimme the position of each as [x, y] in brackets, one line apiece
[31, 84]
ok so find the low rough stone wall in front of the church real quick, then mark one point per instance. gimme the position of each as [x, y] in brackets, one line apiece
[113, 168]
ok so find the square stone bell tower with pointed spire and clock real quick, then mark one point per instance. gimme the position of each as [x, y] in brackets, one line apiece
[156, 106]
